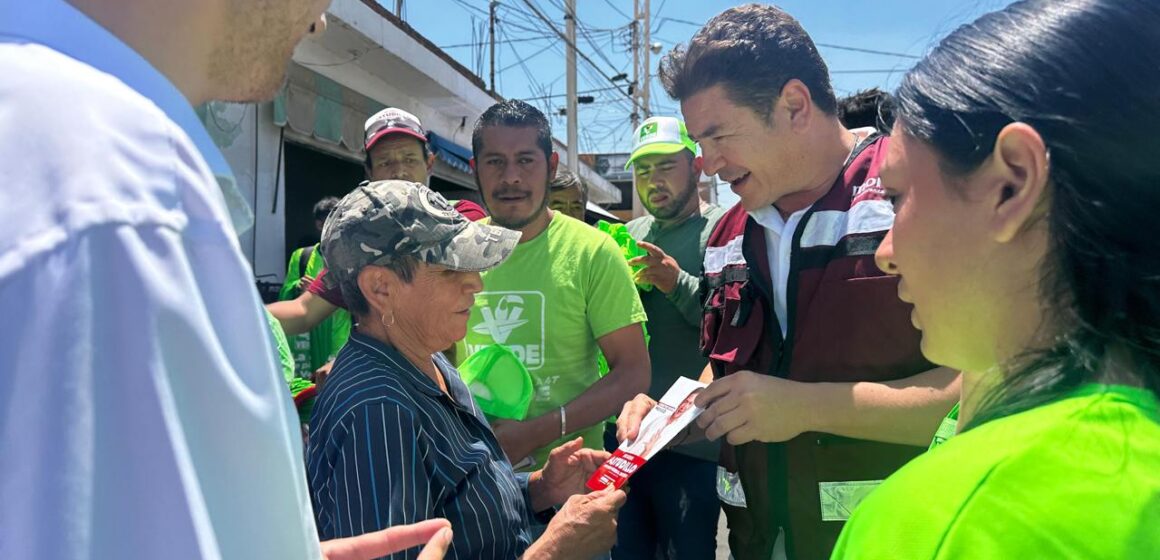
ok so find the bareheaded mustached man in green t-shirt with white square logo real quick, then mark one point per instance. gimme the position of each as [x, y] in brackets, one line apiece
[563, 295]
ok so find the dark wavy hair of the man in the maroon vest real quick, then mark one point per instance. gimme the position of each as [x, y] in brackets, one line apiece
[752, 52]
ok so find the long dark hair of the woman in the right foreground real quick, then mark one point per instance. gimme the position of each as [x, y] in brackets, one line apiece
[1083, 74]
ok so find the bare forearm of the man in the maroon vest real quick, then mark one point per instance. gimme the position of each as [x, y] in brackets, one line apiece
[904, 411]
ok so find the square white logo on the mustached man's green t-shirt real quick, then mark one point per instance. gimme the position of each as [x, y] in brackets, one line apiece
[513, 319]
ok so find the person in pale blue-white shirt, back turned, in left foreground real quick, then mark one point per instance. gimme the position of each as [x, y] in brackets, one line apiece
[143, 414]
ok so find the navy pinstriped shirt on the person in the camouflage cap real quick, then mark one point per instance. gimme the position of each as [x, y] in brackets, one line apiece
[389, 448]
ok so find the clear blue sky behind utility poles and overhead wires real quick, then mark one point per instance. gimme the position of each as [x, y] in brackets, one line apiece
[531, 63]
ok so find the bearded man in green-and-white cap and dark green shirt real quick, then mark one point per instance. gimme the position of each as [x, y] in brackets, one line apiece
[673, 510]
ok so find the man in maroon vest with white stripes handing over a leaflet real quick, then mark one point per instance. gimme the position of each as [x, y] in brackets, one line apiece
[820, 388]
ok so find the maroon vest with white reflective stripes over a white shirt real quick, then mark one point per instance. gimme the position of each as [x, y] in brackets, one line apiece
[846, 324]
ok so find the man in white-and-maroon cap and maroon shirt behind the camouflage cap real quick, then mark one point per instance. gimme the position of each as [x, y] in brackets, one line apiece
[396, 150]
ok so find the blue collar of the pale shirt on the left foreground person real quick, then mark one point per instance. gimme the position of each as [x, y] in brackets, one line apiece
[63, 28]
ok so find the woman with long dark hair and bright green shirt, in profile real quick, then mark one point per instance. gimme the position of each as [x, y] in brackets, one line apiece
[1027, 183]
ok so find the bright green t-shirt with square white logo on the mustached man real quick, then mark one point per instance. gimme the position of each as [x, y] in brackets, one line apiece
[549, 303]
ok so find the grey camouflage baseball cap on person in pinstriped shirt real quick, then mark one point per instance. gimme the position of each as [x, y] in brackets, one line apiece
[383, 221]
